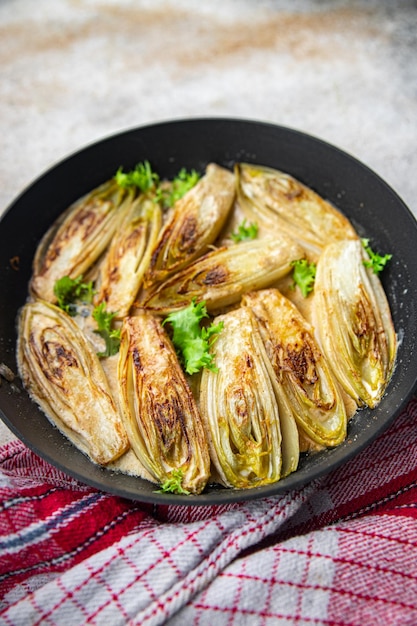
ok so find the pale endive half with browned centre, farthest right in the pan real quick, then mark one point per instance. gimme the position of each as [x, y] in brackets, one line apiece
[353, 322]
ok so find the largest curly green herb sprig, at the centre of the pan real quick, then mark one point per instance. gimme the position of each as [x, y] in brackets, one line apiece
[192, 341]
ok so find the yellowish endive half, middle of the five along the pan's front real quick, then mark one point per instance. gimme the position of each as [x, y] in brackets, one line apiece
[240, 410]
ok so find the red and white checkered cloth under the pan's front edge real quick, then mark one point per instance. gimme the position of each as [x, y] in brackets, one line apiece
[342, 551]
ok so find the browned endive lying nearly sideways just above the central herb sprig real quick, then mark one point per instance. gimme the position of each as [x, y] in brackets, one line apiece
[221, 277]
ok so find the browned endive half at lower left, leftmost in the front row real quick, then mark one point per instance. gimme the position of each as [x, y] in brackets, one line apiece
[63, 375]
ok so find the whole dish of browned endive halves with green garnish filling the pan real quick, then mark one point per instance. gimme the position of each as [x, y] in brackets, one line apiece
[205, 329]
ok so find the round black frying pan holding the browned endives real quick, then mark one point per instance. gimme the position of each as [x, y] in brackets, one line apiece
[373, 207]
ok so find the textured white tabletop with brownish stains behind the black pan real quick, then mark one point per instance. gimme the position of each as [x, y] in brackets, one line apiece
[74, 71]
